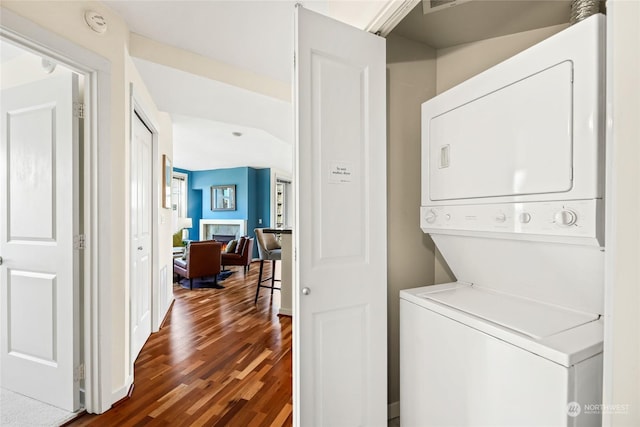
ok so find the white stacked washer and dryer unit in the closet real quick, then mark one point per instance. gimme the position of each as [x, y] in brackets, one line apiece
[512, 195]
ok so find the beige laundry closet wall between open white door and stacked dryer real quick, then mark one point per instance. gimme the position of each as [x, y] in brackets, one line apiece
[411, 80]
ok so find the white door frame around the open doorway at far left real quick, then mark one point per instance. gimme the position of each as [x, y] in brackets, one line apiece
[96, 275]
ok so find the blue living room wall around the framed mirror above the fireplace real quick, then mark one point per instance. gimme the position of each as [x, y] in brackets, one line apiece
[253, 198]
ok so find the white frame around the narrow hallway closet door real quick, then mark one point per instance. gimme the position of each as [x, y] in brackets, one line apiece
[139, 107]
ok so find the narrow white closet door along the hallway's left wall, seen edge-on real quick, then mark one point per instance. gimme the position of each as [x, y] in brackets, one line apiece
[141, 152]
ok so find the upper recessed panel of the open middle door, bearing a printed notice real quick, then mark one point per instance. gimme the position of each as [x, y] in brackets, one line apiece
[336, 81]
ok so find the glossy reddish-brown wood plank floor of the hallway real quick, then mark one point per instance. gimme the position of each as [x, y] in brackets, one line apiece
[219, 360]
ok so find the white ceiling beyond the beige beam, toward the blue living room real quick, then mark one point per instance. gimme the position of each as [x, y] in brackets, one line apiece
[206, 113]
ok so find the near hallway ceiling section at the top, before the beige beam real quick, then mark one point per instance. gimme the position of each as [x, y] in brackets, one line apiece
[251, 35]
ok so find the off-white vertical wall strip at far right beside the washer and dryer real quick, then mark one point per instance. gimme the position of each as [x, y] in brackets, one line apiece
[622, 268]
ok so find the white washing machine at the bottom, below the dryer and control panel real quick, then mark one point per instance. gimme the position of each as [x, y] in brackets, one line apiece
[474, 356]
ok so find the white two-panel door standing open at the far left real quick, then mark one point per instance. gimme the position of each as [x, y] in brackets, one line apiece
[39, 217]
